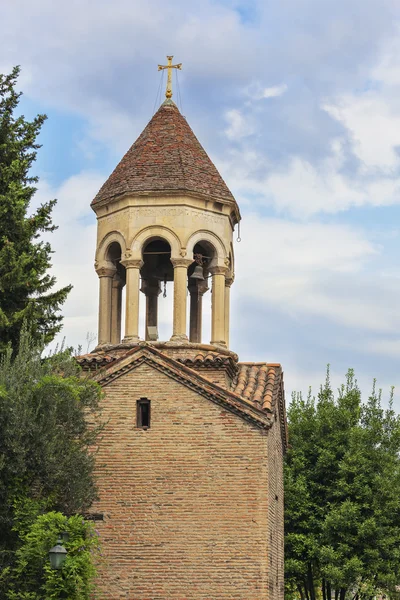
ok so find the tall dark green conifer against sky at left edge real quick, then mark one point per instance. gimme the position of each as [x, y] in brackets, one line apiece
[25, 285]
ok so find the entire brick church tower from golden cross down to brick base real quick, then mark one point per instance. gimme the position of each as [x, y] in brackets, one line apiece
[190, 463]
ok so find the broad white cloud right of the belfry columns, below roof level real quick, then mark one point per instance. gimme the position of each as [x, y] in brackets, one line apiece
[316, 270]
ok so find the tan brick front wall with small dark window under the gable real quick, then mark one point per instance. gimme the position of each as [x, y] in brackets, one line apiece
[185, 502]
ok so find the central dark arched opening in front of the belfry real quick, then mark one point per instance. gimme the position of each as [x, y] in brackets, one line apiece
[157, 273]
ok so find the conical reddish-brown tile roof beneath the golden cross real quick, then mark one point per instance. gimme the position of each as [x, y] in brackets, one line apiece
[166, 157]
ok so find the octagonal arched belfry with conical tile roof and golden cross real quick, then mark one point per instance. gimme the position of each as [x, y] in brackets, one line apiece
[164, 215]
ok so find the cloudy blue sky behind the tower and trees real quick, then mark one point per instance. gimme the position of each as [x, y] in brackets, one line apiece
[297, 102]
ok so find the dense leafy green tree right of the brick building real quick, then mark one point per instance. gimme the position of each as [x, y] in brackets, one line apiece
[342, 495]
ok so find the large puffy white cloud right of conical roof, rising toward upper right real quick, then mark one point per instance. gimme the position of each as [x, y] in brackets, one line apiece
[358, 167]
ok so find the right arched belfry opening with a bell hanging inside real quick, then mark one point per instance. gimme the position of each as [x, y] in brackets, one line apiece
[204, 254]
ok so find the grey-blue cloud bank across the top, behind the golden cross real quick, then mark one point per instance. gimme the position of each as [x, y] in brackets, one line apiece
[101, 63]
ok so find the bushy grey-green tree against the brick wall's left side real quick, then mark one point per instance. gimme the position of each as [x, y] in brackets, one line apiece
[49, 421]
